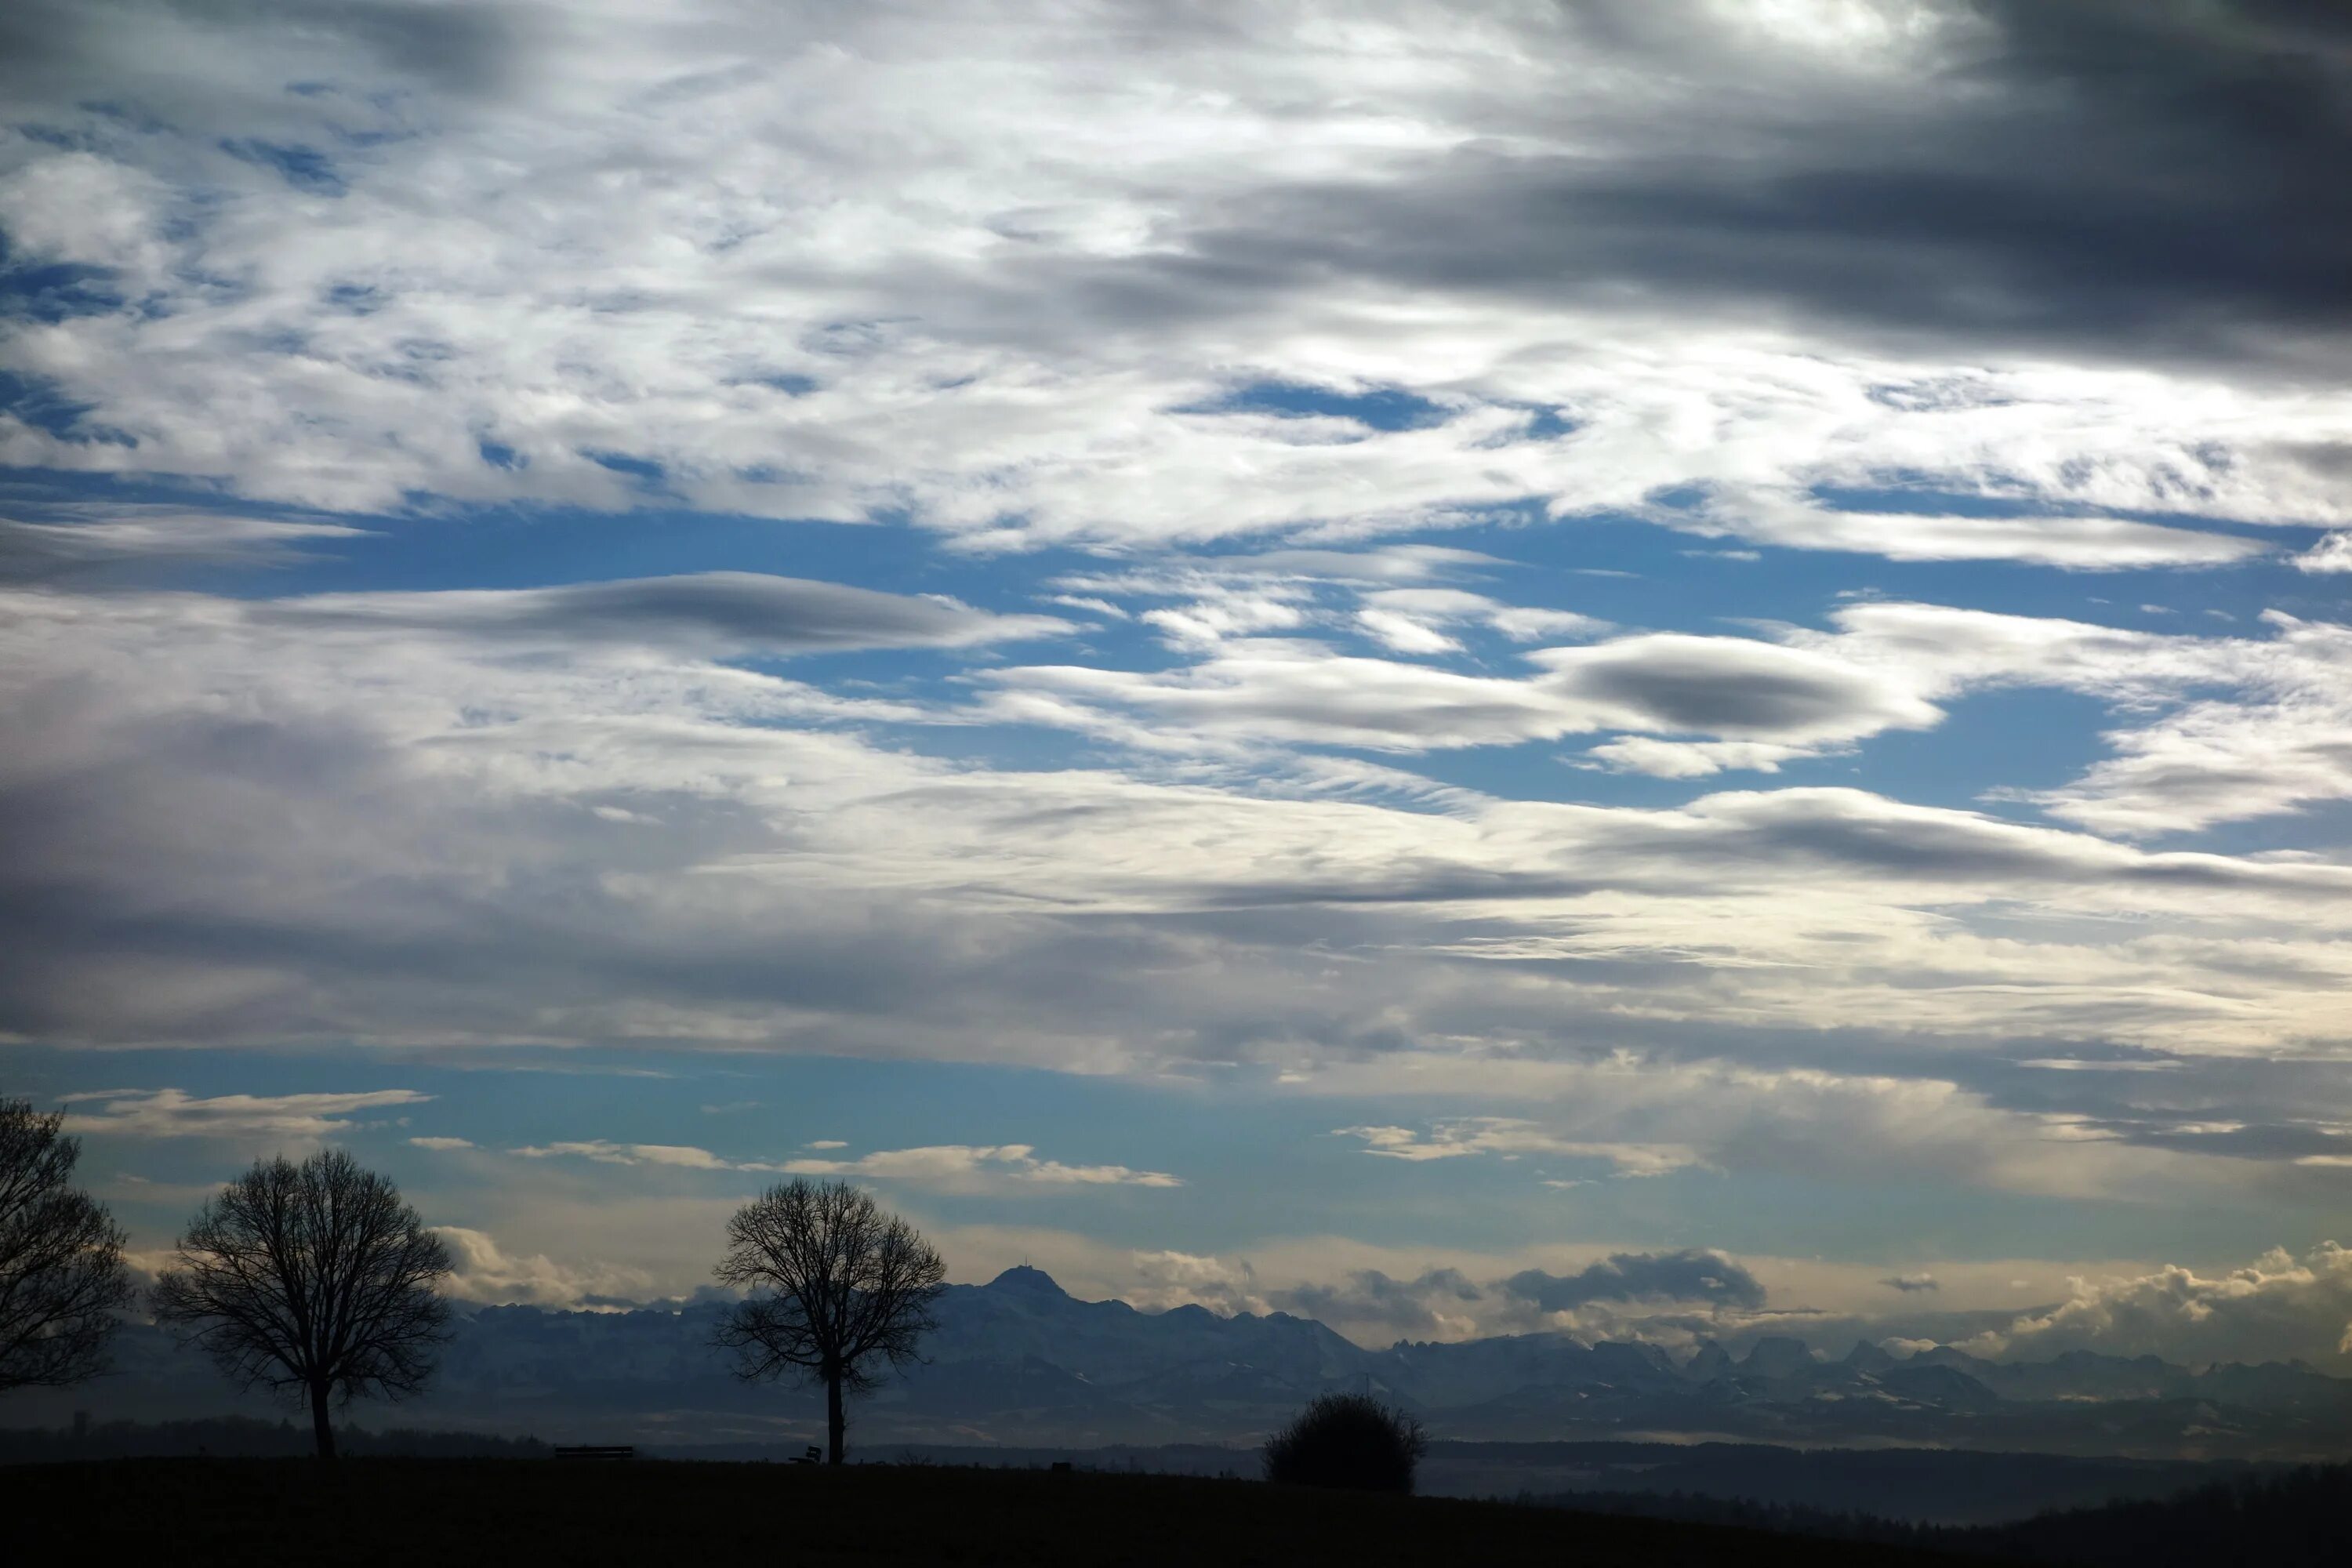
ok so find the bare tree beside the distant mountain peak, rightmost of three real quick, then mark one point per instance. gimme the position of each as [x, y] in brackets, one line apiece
[841, 1289]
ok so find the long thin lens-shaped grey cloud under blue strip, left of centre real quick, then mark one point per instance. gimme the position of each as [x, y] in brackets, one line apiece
[709, 610]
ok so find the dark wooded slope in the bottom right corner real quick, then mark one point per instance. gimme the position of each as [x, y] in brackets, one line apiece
[2283, 1522]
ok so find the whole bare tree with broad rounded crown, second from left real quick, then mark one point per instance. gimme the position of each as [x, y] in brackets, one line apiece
[312, 1280]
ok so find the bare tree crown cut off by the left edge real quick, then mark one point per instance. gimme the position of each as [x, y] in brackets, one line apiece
[60, 1259]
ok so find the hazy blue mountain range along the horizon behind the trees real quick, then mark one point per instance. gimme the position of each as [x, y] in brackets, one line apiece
[1022, 1362]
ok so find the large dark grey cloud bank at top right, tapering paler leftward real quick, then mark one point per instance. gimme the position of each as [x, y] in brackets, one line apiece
[2125, 177]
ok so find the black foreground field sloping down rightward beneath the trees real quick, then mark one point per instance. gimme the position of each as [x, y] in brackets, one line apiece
[171, 1513]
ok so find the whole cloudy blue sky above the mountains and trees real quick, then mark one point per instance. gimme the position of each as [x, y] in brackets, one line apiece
[1626, 666]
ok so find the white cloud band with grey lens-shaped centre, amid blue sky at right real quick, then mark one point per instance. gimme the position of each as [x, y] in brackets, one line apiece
[1695, 706]
